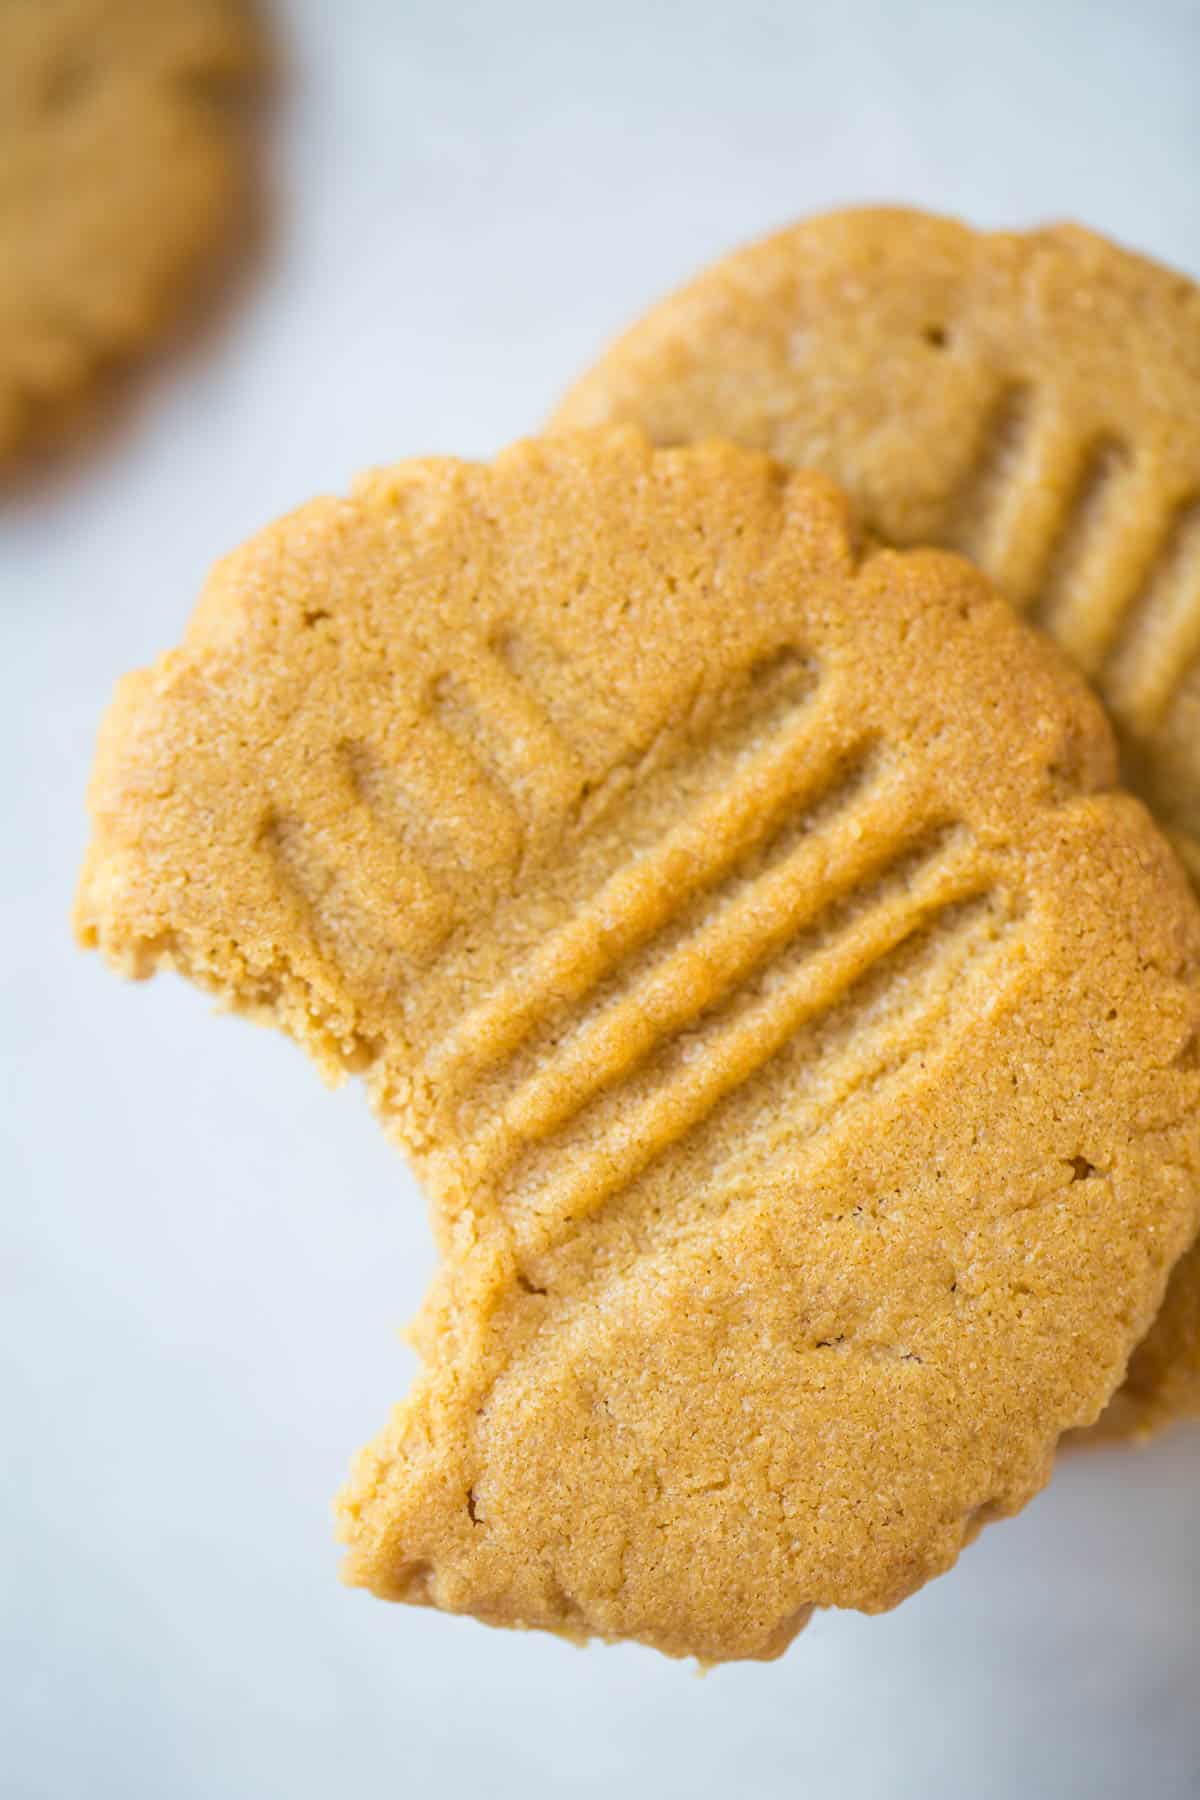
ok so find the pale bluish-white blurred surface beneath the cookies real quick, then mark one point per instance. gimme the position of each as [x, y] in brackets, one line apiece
[206, 1255]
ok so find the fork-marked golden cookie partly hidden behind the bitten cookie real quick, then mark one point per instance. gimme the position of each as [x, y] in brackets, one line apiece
[1032, 400]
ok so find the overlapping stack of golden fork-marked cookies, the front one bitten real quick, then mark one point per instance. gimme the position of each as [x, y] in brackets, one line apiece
[737, 919]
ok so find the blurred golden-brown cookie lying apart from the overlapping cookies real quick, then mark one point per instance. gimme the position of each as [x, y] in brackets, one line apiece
[121, 170]
